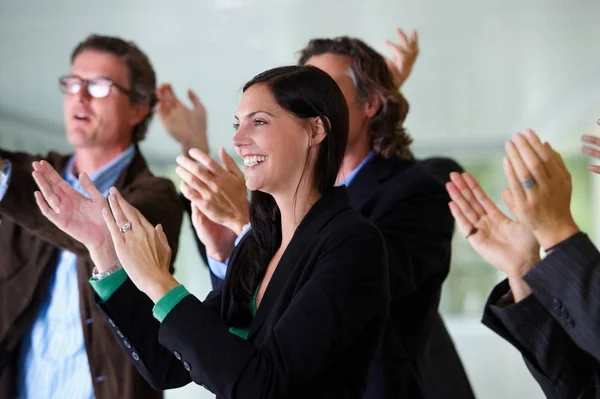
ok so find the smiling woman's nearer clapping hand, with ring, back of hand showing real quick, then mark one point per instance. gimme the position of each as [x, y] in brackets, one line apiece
[143, 249]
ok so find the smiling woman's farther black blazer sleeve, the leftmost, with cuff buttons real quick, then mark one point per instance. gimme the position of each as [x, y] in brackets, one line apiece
[129, 313]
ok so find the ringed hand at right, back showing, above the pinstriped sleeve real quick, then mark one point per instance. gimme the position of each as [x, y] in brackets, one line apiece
[540, 186]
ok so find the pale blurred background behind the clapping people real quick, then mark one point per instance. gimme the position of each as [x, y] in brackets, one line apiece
[486, 70]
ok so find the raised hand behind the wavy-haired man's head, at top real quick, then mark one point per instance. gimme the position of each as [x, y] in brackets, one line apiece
[405, 55]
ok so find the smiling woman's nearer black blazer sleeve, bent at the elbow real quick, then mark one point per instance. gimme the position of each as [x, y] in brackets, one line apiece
[346, 292]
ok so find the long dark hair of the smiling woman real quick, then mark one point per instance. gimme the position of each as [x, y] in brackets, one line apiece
[307, 92]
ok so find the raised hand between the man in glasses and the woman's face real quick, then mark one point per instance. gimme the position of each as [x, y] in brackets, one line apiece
[187, 126]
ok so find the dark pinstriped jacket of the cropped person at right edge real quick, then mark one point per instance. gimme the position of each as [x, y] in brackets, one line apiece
[557, 327]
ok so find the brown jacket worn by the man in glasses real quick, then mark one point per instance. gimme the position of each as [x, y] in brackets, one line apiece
[28, 256]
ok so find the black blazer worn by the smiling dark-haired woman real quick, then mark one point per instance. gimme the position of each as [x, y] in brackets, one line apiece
[315, 331]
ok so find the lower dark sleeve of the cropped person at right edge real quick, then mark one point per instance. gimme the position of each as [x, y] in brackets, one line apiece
[562, 369]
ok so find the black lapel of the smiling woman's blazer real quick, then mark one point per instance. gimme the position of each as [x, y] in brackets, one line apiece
[332, 203]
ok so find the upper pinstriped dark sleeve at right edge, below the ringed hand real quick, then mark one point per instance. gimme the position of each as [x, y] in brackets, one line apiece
[567, 283]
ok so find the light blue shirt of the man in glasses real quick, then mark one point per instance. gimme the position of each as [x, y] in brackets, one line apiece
[53, 363]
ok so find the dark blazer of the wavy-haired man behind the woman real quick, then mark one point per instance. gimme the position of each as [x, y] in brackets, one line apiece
[408, 202]
